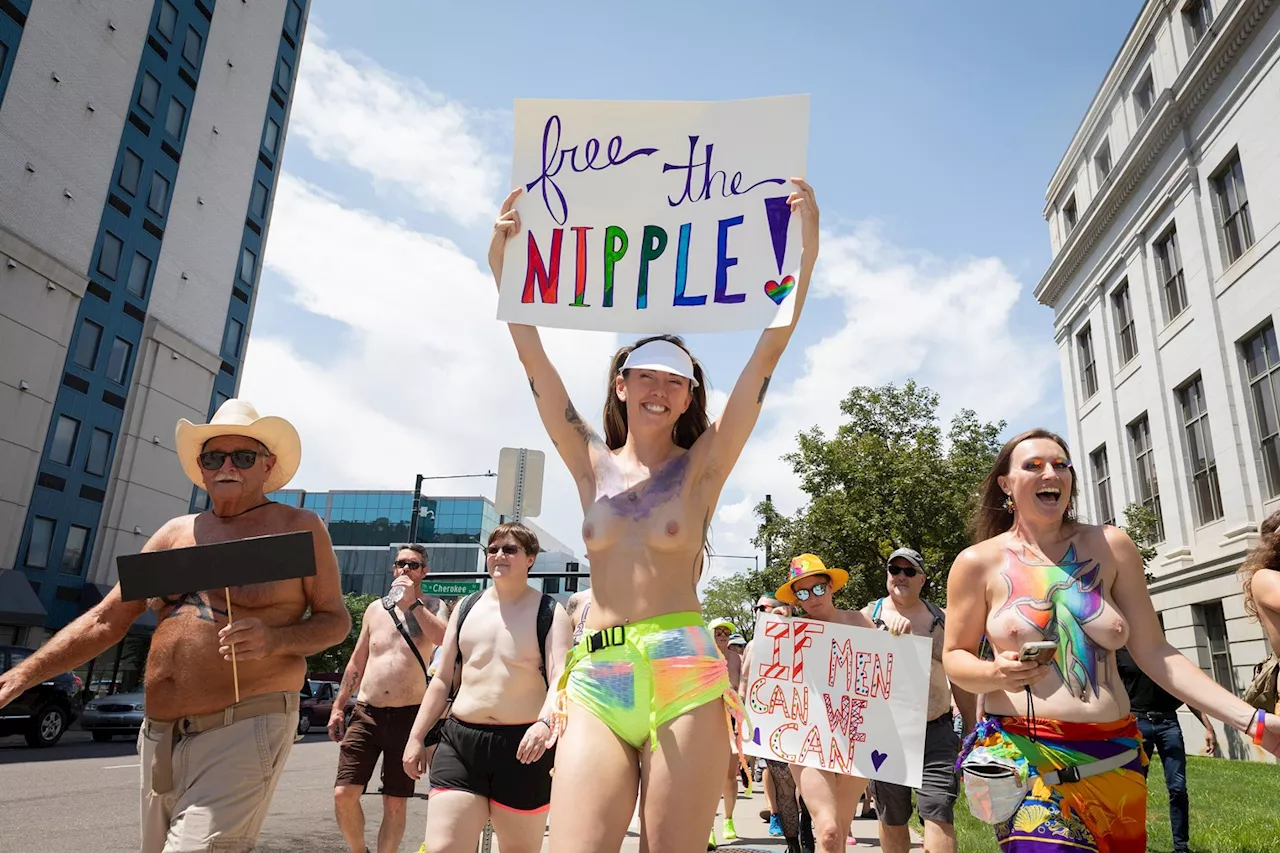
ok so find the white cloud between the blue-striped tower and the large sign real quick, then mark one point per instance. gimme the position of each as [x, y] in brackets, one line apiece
[409, 139]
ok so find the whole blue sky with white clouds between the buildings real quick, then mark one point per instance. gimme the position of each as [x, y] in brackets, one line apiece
[935, 130]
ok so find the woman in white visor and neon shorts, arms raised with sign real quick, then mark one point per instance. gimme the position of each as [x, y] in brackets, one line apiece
[647, 697]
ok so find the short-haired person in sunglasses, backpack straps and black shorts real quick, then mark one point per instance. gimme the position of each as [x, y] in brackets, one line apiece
[495, 759]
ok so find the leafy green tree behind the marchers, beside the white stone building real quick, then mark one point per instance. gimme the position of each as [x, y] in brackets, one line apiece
[889, 477]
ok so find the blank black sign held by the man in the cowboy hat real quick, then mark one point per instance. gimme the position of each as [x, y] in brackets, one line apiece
[217, 567]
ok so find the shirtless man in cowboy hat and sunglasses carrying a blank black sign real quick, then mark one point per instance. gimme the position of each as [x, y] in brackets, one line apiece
[211, 764]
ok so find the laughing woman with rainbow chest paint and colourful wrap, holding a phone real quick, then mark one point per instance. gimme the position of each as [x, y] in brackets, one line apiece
[1058, 760]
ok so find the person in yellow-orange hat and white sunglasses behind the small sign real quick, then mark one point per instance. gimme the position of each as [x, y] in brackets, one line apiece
[831, 799]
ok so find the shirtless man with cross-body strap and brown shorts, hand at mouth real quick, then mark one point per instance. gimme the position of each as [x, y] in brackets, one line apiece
[388, 674]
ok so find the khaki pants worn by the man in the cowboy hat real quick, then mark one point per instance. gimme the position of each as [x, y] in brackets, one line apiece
[223, 778]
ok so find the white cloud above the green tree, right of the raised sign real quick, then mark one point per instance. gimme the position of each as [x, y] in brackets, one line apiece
[948, 325]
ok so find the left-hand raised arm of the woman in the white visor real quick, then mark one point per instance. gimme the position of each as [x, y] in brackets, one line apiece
[574, 439]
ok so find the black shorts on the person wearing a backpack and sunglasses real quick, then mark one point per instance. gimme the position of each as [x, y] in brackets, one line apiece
[482, 760]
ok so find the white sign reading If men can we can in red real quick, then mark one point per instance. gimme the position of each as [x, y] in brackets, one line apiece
[844, 700]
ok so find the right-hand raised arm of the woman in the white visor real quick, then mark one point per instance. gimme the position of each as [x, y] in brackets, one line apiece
[725, 441]
